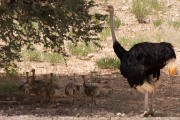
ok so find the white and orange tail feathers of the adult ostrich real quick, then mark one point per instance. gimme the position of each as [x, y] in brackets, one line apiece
[171, 67]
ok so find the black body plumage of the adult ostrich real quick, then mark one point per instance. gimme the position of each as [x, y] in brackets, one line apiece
[144, 59]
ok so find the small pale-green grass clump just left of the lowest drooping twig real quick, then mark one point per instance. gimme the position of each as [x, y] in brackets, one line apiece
[53, 57]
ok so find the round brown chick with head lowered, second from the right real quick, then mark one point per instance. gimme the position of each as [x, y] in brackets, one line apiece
[71, 90]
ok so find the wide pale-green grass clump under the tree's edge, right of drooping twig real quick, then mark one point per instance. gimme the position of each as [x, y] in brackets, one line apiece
[81, 49]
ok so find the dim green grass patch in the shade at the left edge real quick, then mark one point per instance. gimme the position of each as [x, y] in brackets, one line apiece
[8, 86]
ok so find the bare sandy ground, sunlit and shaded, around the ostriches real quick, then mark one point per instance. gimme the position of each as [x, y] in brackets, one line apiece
[116, 100]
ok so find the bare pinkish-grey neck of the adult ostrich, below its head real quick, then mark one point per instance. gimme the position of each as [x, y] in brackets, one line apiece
[112, 26]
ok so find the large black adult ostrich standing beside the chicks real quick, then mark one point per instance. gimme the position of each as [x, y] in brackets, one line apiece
[142, 63]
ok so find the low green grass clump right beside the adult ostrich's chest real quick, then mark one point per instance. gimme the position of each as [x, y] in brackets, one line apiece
[108, 63]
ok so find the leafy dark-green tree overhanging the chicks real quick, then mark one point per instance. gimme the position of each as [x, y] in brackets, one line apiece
[47, 22]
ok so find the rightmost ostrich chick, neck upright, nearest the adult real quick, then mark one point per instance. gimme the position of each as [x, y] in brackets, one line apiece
[90, 90]
